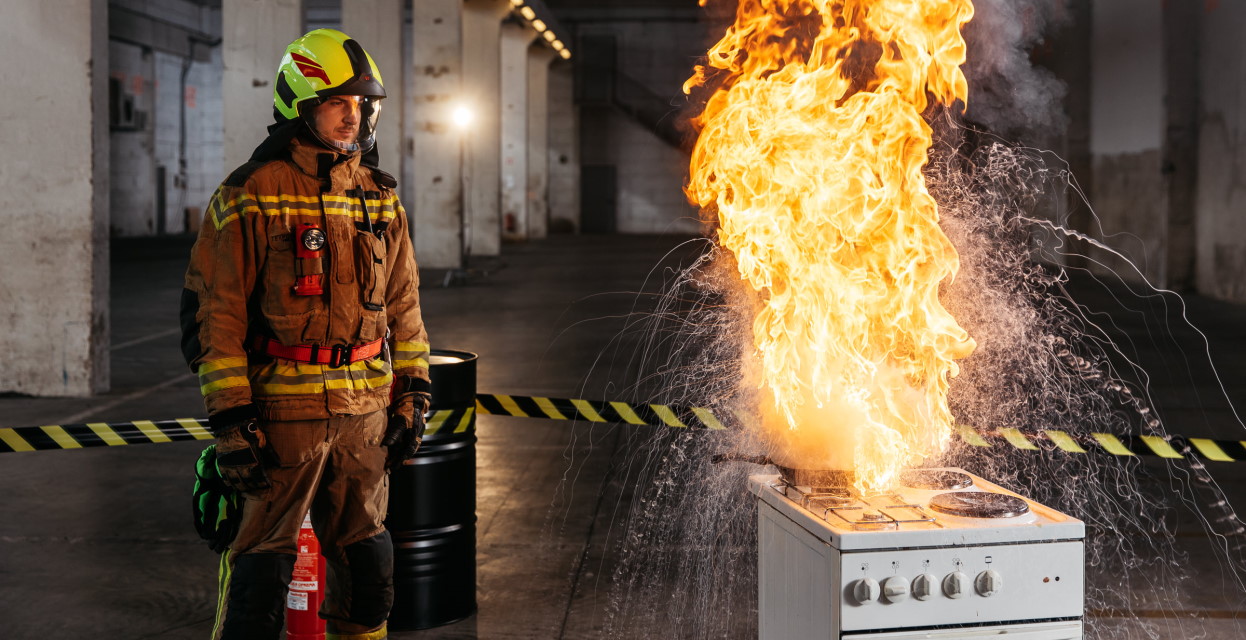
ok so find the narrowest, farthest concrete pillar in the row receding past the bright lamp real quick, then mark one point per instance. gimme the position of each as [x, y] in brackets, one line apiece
[539, 140]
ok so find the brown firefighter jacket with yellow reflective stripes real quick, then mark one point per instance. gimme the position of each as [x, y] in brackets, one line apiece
[241, 281]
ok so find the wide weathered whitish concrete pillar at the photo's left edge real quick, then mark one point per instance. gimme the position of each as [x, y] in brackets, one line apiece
[54, 251]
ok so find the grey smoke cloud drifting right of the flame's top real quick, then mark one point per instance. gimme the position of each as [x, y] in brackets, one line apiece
[1009, 94]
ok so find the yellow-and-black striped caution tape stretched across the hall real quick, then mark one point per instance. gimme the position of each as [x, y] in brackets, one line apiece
[460, 420]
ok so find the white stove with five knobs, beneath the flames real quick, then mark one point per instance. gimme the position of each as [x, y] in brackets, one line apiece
[948, 556]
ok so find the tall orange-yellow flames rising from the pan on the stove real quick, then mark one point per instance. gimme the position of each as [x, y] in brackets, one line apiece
[812, 154]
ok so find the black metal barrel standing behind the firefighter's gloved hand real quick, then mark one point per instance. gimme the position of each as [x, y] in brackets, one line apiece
[433, 506]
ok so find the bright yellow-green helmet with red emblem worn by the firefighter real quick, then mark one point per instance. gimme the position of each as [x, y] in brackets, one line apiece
[328, 63]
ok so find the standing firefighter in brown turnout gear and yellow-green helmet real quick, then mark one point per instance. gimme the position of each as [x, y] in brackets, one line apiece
[302, 319]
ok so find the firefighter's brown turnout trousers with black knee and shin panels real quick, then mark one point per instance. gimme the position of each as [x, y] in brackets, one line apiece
[335, 468]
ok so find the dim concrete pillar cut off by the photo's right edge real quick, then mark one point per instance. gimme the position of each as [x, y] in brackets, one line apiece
[1222, 184]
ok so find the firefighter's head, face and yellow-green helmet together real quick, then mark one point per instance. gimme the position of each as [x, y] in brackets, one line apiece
[328, 82]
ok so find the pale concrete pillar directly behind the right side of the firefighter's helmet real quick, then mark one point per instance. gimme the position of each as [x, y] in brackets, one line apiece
[378, 27]
